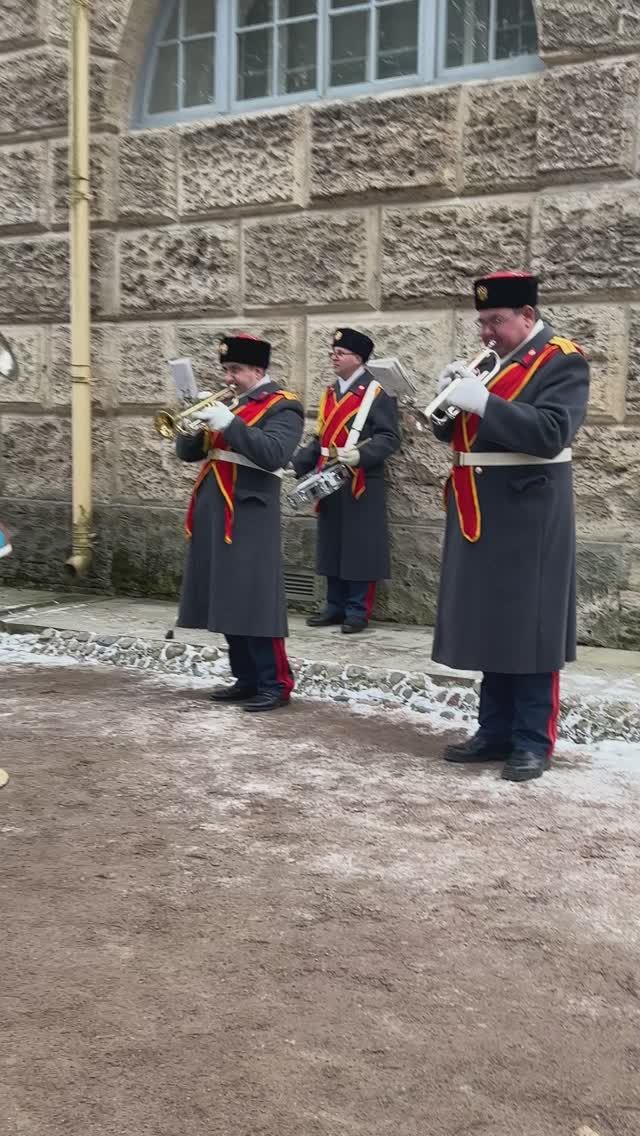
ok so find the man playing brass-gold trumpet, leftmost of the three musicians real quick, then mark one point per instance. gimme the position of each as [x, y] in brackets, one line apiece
[234, 581]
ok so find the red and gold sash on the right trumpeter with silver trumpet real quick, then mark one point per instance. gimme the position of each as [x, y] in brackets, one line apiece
[508, 386]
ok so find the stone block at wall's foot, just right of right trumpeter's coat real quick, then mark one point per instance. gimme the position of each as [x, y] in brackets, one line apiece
[599, 580]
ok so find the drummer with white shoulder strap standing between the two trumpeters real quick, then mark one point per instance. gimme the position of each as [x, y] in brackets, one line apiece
[353, 540]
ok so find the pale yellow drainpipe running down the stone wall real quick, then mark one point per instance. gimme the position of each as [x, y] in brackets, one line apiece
[80, 289]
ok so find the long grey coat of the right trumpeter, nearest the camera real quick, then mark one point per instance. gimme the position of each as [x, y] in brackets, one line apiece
[508, 603]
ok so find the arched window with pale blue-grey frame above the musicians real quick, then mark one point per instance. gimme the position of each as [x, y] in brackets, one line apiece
[212, 57]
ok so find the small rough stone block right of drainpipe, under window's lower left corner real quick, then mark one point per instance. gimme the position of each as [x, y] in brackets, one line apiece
[148, 177]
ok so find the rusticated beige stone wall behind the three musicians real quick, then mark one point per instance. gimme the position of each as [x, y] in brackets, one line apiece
[375, 211]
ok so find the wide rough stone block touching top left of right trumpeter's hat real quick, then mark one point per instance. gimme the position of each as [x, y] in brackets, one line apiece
[433, 254]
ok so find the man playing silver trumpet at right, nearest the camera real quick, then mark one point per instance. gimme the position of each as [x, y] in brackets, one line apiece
[508, 589]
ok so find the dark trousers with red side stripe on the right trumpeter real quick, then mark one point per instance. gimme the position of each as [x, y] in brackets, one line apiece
[521, 712]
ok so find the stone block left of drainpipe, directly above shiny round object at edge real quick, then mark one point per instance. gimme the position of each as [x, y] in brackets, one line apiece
[34, 278]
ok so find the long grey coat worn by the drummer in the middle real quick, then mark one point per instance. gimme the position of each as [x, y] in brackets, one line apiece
[353, 539]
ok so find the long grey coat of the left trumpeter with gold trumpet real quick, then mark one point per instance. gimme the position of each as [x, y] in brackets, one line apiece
[238, 589]
